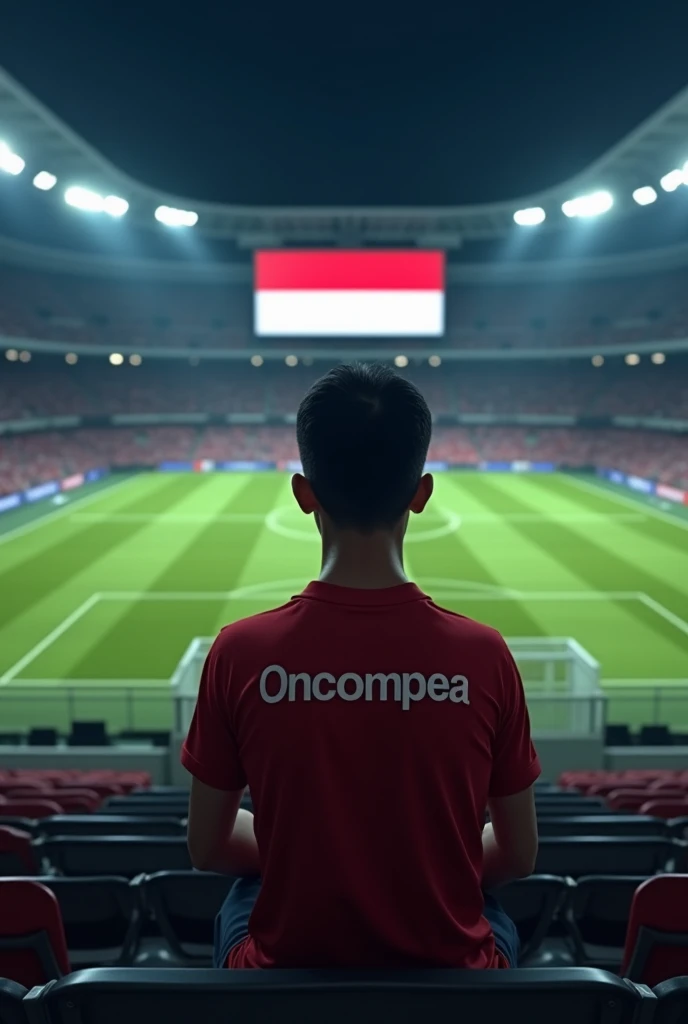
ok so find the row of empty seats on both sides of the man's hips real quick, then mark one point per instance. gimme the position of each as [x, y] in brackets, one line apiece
[168, 918]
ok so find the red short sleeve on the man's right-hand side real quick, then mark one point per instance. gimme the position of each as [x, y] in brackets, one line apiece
[515, 763]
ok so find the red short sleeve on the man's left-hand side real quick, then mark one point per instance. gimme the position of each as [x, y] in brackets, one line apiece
[211, 752]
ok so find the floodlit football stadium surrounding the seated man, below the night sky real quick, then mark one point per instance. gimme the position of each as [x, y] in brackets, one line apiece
[155, 350]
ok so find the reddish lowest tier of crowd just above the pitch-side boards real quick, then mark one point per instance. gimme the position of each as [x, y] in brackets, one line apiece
[32, 458]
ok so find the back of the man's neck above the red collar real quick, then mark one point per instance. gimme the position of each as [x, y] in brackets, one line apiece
[363, 562]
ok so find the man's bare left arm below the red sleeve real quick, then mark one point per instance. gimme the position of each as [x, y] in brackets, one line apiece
[221, 835]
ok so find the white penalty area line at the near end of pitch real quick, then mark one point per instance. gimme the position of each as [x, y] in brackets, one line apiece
[251, 593]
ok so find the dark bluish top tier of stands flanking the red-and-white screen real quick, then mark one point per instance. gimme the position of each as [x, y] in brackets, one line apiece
[121, 315]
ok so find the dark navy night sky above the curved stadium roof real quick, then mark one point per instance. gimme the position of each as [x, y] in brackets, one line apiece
[288, 104]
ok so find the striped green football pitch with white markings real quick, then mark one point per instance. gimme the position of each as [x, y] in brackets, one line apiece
[102, 596]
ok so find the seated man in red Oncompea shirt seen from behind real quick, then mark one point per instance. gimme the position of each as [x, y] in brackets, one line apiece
[374, 730]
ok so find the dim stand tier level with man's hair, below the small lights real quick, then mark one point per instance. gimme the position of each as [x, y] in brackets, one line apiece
[47, 388]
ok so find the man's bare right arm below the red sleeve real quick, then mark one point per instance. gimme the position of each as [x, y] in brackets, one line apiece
[510, 840]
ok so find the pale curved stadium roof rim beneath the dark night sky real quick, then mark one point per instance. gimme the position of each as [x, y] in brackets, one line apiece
[642, 158]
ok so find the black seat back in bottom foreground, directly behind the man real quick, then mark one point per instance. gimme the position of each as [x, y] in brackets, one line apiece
[140, 996]
